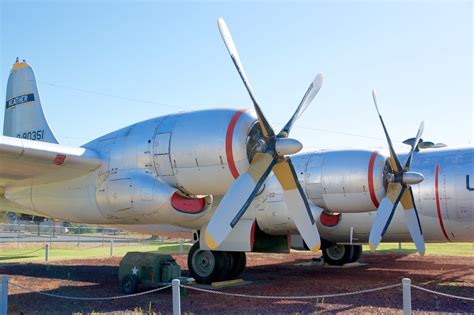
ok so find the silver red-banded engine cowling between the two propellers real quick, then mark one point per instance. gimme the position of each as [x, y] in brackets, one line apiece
[346, 180]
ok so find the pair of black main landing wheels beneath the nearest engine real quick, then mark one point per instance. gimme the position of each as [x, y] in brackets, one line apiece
[207, 266]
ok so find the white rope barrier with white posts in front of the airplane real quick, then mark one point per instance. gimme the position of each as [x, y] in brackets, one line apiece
[176, 294]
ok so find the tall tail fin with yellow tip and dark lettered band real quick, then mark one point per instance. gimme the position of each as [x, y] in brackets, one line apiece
[24, 117]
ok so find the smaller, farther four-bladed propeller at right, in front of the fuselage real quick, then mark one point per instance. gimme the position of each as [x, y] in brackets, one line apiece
[399, 190]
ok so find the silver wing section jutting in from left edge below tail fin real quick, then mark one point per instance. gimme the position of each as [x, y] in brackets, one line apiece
[25, 161]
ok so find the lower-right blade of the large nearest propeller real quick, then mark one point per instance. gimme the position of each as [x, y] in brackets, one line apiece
[297, 204]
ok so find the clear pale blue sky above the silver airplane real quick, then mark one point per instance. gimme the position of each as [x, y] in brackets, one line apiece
[102, 65]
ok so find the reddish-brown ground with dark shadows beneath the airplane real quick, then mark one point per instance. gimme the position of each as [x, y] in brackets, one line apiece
[270, 274]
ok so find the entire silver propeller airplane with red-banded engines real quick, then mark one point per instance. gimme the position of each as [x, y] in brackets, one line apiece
[228, 179]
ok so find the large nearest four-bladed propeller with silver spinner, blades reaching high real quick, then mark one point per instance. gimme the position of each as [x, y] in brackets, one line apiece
[273, 155]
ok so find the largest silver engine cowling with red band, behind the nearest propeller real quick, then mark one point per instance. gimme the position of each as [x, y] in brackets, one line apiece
[193, 149]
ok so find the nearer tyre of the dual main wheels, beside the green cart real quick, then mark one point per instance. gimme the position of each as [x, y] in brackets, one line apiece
[205, 266]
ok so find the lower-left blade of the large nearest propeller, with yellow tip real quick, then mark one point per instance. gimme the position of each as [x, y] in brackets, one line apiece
[237, 199]
